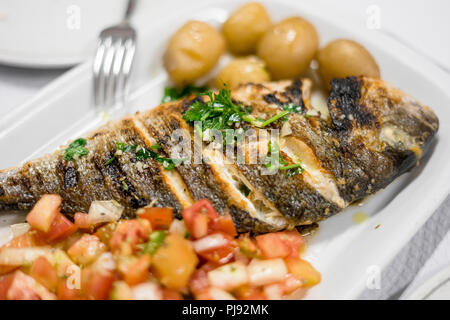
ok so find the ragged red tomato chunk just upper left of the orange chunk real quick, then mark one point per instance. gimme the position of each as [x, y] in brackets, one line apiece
[128, 234]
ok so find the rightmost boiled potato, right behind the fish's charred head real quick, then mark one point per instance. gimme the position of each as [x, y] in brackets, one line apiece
[344, 58]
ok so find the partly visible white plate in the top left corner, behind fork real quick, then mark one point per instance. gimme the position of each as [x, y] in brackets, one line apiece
[53, 33]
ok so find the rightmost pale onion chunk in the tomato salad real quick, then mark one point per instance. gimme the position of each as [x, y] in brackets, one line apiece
[262, 272]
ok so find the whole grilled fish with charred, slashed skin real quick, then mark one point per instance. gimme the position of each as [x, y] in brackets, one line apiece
[372, 134]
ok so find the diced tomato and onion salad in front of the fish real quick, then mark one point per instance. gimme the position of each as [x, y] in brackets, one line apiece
[154, 256]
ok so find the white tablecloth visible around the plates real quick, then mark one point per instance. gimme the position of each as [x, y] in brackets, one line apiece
[423, 25]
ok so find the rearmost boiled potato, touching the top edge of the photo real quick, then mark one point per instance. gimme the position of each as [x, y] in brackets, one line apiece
[245, 27]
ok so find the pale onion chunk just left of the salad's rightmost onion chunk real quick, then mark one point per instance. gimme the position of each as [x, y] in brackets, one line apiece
[229, 276]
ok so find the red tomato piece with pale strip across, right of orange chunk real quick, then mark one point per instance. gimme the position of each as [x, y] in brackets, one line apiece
[217, 247]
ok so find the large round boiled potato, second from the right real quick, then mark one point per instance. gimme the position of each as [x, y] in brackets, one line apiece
[288, 47]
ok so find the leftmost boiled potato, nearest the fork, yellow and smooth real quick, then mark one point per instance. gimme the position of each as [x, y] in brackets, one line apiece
[192, 52]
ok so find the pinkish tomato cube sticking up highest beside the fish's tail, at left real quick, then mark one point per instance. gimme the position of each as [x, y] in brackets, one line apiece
[43, 212]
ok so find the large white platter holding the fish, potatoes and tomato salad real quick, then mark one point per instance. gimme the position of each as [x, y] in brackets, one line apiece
[347, 254]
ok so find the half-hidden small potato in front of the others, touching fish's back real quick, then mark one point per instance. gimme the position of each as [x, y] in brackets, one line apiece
[242, 70]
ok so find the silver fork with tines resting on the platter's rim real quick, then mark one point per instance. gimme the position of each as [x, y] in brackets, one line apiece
[113, 61]
